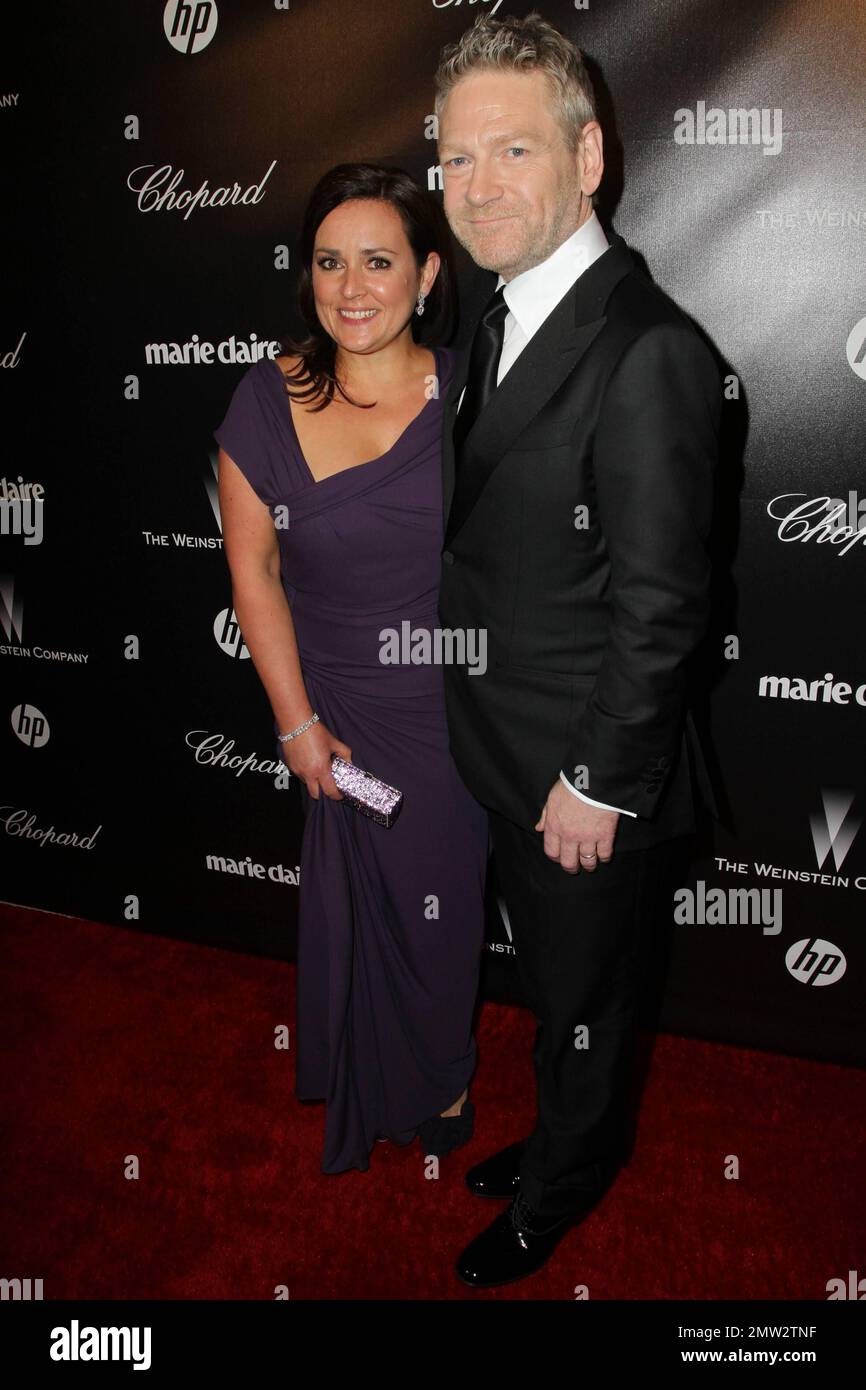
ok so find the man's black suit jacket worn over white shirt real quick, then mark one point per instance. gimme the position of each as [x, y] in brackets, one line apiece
[576, 529]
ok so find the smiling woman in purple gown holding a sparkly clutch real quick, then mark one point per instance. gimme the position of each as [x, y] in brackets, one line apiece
[333, 526]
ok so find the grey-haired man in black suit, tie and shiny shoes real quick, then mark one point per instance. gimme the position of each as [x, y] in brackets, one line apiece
[578, 508]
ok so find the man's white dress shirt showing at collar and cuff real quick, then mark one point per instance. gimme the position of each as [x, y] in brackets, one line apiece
[532, 297]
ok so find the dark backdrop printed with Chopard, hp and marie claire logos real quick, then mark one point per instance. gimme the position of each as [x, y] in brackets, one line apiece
[156, 162]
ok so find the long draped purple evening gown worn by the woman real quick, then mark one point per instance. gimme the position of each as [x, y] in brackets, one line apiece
[387, 981]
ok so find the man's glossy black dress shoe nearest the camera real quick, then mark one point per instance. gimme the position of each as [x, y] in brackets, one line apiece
[514, 1246]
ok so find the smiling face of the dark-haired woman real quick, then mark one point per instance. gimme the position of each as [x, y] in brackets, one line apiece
[365, 275]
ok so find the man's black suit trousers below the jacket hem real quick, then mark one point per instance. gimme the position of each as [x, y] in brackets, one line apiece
[582, 950]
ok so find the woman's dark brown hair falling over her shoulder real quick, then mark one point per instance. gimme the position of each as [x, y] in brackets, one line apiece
[427, 231]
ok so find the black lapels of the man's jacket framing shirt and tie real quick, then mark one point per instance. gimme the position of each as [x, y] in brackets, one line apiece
[543, 366]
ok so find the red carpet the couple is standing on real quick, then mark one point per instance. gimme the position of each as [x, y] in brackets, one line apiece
[123, 1045]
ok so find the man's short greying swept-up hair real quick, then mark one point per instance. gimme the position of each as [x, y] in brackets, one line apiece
[530, 45]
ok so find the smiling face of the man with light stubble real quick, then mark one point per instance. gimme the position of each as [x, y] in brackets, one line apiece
[512, 187]
